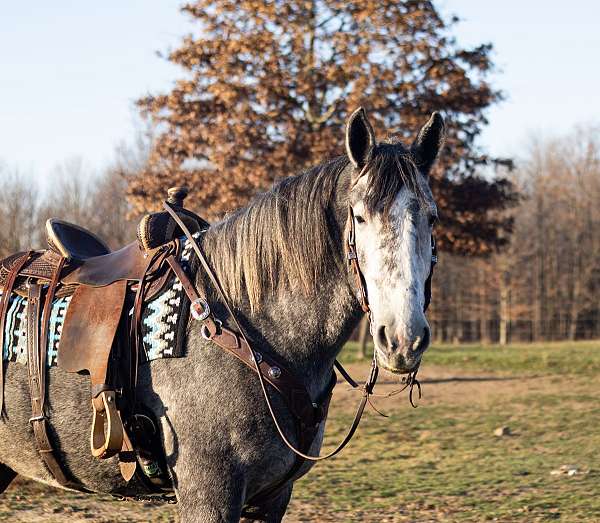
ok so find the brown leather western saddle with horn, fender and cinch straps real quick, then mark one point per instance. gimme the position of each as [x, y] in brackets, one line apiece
[101, 333]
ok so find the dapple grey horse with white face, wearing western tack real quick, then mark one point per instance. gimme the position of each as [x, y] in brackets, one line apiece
[282, 262]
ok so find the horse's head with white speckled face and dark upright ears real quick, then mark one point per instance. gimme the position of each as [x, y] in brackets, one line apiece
[392, 213]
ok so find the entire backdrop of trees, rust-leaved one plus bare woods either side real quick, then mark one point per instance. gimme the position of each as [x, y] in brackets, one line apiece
[264, 92]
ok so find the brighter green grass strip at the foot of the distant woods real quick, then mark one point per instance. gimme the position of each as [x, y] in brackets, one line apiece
[582, 357]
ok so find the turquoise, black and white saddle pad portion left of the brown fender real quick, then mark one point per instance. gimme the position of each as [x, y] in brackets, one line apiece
[15, 329]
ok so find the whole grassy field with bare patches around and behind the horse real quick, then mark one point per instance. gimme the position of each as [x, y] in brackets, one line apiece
[440, 462]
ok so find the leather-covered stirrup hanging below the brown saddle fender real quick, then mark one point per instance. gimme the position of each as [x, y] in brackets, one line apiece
[107, 428]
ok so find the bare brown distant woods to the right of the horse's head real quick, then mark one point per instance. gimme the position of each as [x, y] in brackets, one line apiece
[546, 284]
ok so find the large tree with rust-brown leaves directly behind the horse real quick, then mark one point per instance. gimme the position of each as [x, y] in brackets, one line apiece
[268, 85]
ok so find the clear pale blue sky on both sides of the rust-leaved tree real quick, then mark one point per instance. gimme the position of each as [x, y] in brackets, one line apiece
[70, 71]
